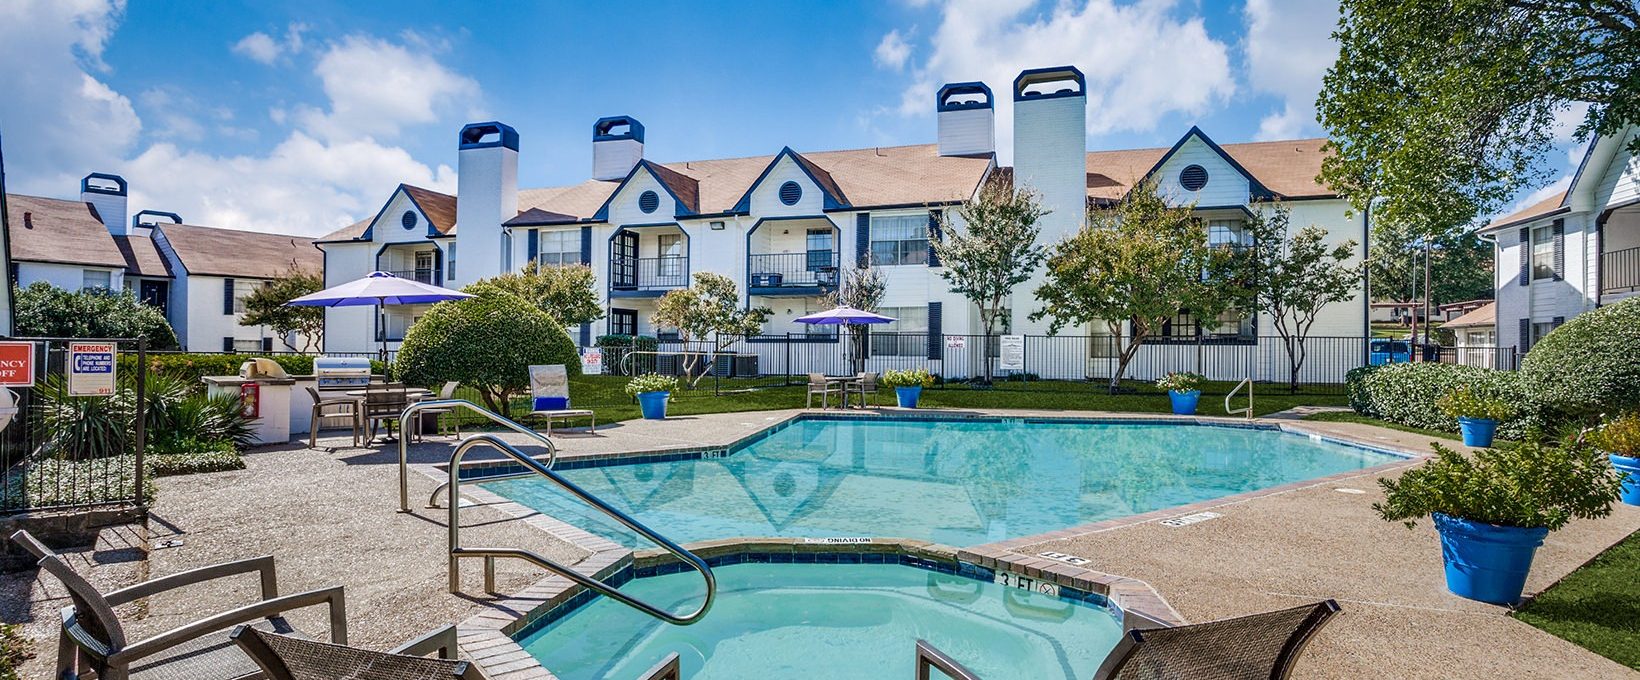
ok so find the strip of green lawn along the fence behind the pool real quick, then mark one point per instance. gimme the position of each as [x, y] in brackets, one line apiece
[606, 396]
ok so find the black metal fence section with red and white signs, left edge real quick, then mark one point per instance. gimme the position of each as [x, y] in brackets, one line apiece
[75, 419]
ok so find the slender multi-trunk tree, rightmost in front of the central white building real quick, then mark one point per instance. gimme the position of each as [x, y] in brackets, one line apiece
[1295, 276]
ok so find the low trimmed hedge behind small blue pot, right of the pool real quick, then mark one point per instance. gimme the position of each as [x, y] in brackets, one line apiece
[1406, 394]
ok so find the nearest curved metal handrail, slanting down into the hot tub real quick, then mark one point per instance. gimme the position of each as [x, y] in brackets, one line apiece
[457, 551]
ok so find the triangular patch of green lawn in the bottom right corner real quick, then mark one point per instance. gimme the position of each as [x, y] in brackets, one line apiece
[1597, 607]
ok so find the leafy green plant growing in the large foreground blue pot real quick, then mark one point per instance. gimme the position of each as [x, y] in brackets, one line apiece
[1536, 484]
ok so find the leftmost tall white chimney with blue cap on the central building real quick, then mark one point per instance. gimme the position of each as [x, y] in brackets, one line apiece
[486, 197]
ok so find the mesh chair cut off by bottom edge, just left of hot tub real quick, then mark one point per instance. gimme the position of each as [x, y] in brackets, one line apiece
[288, 658]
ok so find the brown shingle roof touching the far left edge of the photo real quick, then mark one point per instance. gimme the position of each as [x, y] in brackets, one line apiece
[66, 232]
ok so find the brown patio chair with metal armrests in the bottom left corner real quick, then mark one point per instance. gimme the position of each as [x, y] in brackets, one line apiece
[93, 638]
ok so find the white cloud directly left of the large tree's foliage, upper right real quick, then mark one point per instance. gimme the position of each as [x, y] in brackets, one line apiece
[1288, 52]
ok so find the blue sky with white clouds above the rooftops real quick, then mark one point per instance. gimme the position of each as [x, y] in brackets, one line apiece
[303, 117]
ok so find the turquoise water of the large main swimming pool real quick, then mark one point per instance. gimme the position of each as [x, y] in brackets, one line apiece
[957, 483]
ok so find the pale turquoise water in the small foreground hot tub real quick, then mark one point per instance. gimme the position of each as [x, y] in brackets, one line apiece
[831, 622]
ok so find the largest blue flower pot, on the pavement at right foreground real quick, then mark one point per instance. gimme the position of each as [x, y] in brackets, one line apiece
[1487, 563]
